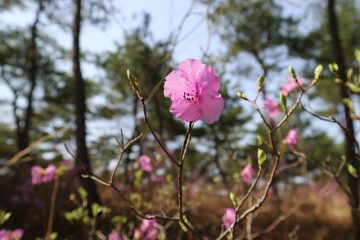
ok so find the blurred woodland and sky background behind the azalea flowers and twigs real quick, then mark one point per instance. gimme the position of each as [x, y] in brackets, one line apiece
[66, 105]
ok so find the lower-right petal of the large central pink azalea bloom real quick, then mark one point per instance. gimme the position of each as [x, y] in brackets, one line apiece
[211, 107]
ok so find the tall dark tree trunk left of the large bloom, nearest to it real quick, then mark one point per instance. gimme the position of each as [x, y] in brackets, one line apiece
[82, 156]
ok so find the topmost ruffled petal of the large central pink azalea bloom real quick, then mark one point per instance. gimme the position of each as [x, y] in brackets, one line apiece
[190, 69]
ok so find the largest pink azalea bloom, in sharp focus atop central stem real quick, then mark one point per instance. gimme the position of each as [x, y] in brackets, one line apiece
[194, 91]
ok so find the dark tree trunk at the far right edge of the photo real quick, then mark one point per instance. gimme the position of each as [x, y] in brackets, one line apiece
[349, 135]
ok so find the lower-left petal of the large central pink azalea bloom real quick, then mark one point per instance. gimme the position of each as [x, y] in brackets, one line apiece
[185, 111]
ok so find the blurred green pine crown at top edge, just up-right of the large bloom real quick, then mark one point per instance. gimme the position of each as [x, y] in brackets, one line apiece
[254, 27]
